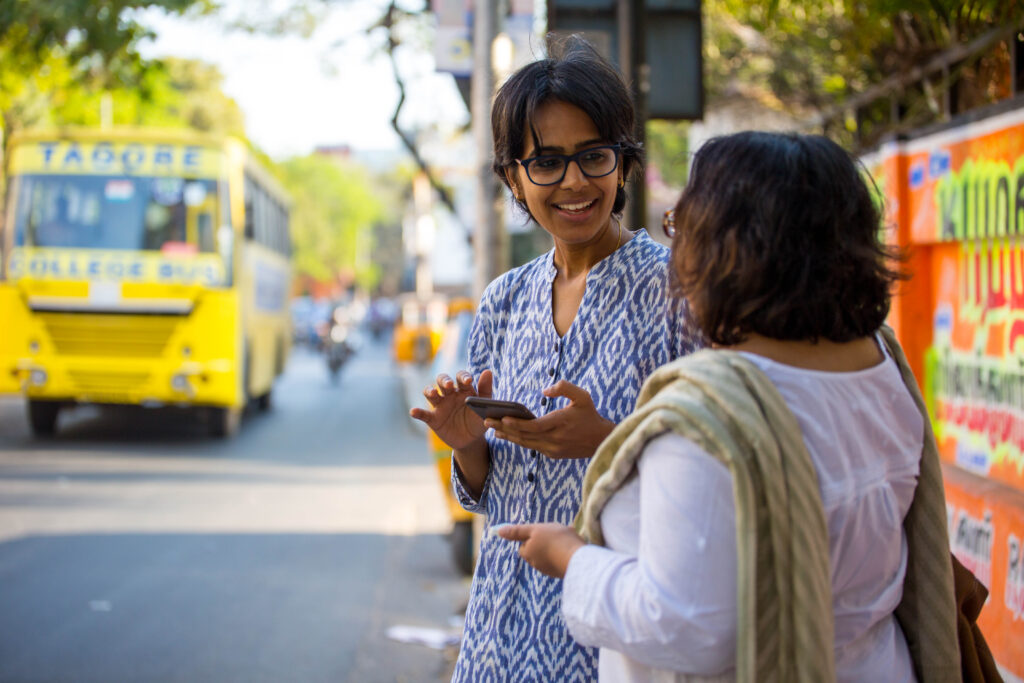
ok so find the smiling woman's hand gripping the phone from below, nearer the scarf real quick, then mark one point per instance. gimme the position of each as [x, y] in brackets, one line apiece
[574, 432]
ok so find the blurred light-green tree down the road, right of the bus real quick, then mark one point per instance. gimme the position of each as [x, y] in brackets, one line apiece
[334, 211]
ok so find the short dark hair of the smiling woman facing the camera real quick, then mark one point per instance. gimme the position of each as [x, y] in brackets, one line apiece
[576, 74]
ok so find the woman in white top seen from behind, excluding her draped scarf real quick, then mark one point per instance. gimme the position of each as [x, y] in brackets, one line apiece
[778, 251]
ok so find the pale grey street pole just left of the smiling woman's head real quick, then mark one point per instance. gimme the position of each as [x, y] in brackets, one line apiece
[486, 234]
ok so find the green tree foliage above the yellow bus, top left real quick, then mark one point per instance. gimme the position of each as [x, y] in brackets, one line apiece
[64, 62]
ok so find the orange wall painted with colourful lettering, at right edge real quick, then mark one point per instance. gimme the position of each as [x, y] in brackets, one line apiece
[955, 202]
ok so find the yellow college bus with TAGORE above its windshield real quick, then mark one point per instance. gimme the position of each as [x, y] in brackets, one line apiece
[142, 268]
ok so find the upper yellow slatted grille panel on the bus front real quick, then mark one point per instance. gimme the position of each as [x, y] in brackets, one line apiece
[109, 336]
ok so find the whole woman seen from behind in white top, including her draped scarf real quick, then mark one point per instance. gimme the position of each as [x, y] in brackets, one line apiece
[774, 509]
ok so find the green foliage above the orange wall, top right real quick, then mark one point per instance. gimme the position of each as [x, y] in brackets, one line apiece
[806, 57]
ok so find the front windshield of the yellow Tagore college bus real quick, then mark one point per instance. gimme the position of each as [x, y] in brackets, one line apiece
[117, 212]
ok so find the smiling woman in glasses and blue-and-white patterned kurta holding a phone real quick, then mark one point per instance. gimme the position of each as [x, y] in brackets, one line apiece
[572, 335]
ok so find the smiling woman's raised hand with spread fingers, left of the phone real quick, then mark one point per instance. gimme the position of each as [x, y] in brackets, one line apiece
[454, 423]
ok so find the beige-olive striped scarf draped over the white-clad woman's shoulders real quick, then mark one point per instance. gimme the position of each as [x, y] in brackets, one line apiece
[724, 404]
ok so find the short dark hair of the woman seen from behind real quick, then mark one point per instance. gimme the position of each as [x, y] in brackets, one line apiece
[779, 235]
